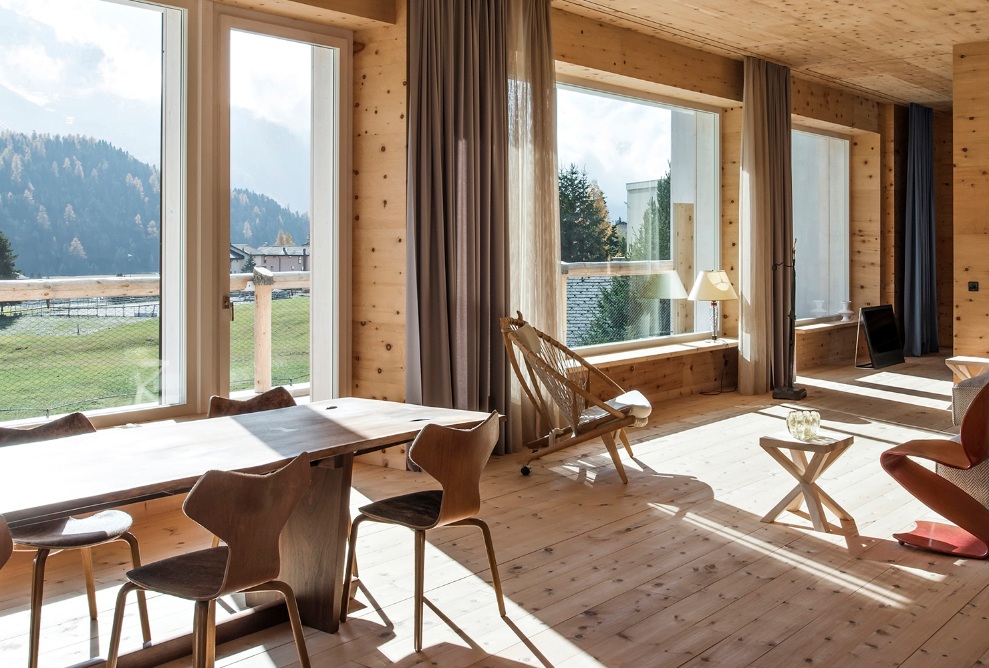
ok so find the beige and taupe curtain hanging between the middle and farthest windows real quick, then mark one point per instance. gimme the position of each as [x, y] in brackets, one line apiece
[766, 230]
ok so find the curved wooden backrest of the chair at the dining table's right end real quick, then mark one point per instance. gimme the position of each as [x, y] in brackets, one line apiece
[456, 458]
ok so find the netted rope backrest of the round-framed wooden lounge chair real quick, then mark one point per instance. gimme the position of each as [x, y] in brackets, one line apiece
[564, 374]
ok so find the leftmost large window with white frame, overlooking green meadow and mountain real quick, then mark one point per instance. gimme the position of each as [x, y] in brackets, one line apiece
[91, 207]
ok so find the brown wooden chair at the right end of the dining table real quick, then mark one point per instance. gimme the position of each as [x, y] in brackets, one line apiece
[455, 458]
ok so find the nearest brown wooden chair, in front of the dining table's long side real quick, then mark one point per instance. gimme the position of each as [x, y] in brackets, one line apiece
[248, 512]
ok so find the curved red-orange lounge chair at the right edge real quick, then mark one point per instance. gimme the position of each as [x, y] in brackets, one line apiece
[970, 538]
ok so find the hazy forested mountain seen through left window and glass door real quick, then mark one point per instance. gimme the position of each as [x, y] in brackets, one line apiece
[73, 205]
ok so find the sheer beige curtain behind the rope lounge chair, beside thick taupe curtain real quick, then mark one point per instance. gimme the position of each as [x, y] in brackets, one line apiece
[534, 215]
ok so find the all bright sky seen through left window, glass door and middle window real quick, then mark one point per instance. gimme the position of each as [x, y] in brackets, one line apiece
[69, 57]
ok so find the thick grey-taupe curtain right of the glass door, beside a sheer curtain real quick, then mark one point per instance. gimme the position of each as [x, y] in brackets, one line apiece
[457, 205]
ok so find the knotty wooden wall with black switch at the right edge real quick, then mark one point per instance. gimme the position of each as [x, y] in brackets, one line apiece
[971, 183]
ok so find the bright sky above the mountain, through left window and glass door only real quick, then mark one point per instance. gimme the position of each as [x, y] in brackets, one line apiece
[55, 53]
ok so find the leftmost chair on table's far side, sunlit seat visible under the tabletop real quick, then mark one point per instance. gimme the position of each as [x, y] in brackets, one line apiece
[70, 533]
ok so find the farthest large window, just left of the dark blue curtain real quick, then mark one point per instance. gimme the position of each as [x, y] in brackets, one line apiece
[820, 223]
